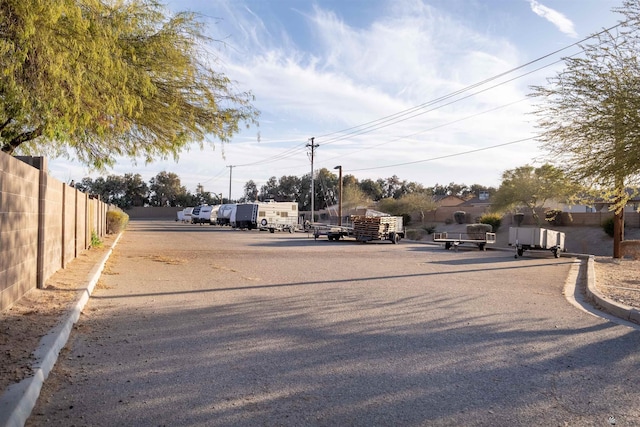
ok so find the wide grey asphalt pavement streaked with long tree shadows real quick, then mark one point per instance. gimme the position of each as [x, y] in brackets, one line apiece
[206, 326]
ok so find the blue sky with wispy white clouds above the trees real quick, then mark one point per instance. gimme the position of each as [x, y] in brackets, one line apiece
[364, 78]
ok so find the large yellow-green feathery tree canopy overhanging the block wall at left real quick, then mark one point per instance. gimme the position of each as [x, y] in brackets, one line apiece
[103, 79]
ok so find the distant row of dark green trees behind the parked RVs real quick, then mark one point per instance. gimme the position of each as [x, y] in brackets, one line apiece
[165, 189]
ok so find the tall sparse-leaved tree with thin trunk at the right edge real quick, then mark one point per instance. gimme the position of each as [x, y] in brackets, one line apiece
[589, 115]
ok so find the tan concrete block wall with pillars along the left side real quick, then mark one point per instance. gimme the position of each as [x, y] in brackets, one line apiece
[44, 225]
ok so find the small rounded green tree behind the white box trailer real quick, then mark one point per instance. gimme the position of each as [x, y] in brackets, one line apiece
[530, 187]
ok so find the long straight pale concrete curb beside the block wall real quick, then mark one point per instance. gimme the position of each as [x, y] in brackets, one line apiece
[19, 399]
